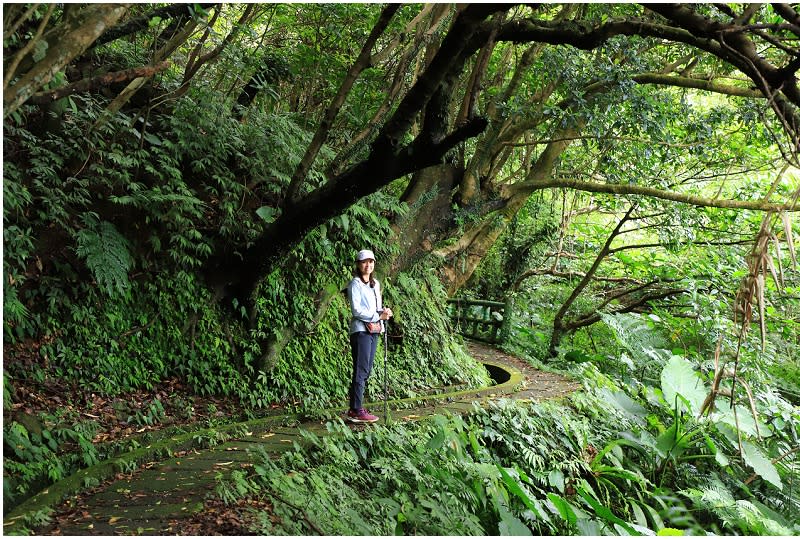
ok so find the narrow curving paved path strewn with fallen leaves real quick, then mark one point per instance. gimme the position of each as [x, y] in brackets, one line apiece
[128, 497]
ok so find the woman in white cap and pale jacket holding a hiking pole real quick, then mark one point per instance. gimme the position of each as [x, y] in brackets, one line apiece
[366, 305]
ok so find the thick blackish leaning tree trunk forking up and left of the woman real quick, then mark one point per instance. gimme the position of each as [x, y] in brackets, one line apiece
[387, 161]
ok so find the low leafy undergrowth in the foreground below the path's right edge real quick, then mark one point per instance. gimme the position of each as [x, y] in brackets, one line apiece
[512, 468]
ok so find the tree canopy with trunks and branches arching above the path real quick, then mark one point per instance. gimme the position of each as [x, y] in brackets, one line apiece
[485, 85]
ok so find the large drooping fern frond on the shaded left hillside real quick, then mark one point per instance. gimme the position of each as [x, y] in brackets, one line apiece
[107, 255]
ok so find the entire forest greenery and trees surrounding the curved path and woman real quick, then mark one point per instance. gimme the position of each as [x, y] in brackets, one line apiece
[147, 177]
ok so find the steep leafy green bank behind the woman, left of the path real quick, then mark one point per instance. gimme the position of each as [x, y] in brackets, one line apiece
[108, 222]
